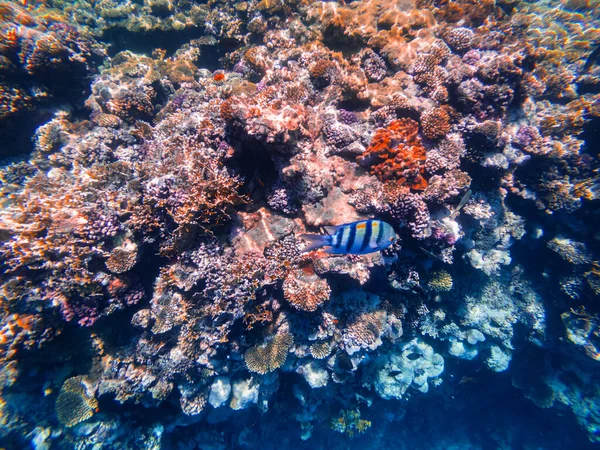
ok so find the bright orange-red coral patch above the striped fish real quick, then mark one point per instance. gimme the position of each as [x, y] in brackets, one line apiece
[396, 153]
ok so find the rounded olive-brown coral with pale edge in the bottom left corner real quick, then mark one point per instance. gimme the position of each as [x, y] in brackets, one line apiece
[75, 402]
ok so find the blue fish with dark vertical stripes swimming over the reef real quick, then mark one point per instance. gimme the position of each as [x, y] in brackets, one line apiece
[358, 238]
